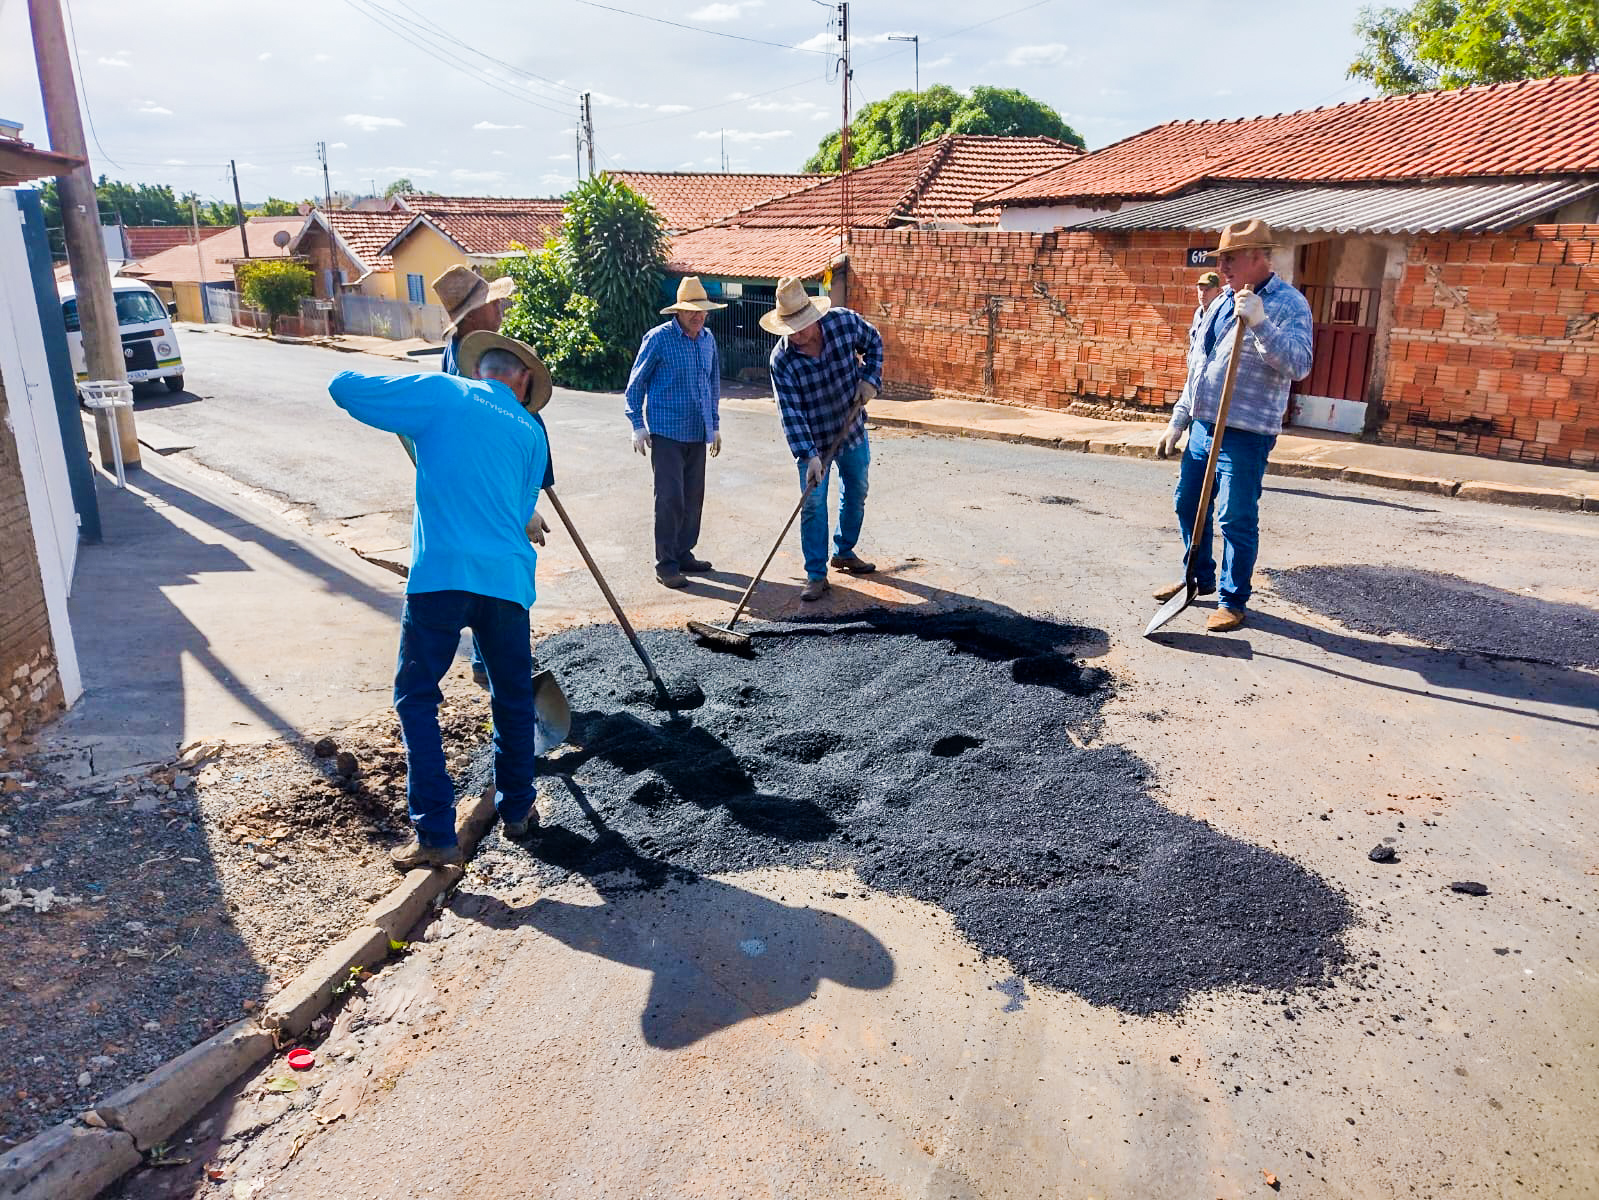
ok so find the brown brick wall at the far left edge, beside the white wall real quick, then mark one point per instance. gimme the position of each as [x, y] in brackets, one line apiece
[30, 686]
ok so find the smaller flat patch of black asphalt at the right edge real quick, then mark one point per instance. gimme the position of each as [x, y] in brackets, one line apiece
[1448, 612]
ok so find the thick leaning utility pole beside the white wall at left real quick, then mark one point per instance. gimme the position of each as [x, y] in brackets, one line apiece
[82, 230]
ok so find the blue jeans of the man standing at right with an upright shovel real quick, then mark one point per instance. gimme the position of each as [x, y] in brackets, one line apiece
[1240, 473]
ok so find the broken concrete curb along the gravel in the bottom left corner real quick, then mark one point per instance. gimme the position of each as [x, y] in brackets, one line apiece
[76, 1161]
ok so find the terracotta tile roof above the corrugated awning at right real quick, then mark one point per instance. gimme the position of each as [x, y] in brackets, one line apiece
[1534, 127]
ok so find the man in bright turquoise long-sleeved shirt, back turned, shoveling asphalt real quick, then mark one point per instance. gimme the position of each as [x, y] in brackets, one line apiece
[480, 463]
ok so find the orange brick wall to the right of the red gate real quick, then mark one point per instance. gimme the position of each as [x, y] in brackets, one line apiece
[1494, 346]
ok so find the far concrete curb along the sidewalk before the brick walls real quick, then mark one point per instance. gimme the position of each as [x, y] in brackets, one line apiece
[1470, 490]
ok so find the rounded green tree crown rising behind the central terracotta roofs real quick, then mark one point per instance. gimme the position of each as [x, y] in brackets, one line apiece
[891, 126]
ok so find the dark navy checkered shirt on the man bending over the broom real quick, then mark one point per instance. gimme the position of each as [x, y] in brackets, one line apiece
[815, 394]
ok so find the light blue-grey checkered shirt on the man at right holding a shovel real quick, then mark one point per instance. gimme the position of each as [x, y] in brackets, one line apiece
[1277, 354]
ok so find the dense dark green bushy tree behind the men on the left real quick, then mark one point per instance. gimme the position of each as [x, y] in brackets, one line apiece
[589, 297]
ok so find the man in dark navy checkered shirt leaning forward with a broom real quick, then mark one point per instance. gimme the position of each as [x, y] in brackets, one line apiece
[826, 369]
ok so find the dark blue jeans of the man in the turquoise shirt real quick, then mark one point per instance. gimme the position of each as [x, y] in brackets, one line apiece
[429, 636]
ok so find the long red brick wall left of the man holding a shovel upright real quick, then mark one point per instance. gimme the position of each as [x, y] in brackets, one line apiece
[1082, 322]
